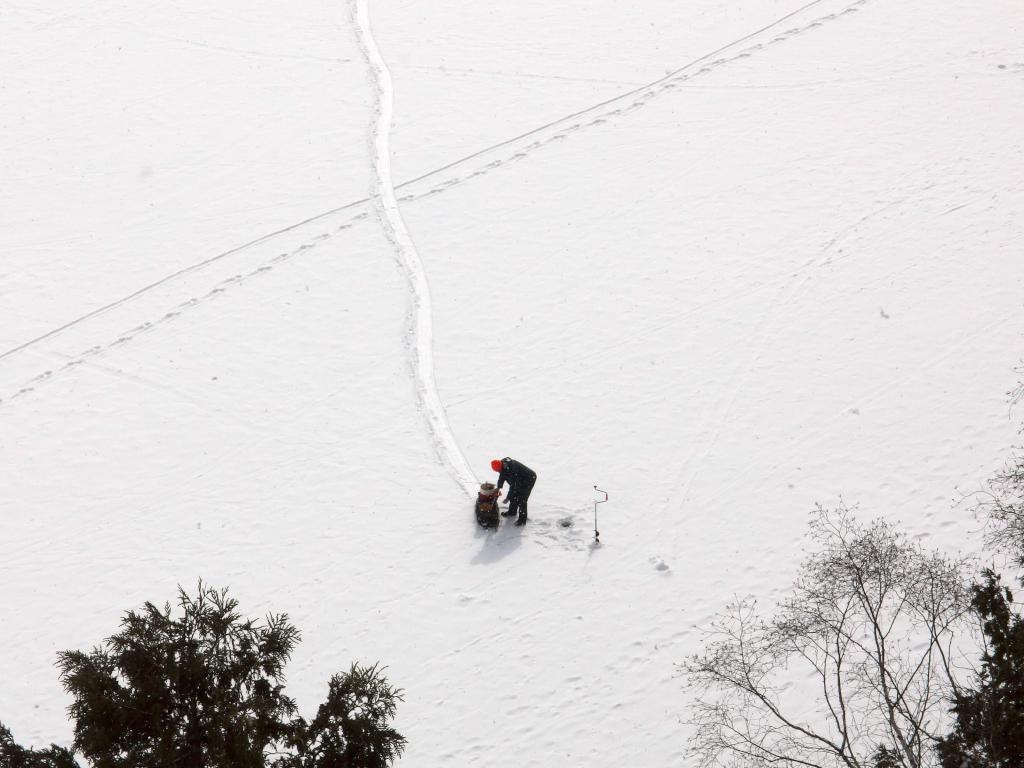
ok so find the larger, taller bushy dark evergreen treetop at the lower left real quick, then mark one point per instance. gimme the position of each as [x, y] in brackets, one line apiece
[204, 690]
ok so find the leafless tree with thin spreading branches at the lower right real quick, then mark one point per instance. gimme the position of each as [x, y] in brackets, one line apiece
[871, 628]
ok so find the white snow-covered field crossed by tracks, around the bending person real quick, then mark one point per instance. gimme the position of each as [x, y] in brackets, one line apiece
[279, 280]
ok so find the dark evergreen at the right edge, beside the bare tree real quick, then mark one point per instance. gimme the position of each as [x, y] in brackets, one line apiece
[990, 728]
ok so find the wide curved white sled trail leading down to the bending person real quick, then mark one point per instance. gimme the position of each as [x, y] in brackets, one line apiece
[387, 206]
